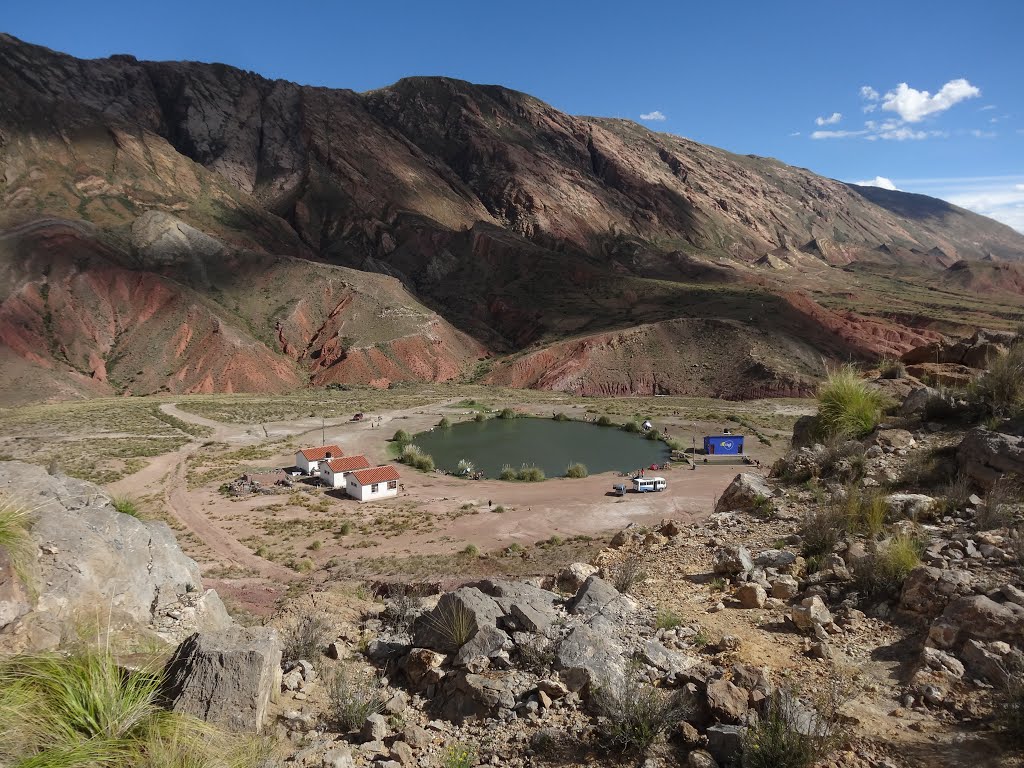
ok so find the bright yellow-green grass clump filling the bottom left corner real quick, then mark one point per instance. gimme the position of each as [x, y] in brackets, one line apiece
[86, 710]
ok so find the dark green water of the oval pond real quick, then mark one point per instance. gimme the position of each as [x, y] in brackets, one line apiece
[547, 444]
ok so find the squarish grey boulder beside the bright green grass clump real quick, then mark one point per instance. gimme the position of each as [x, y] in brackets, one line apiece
[226, 677]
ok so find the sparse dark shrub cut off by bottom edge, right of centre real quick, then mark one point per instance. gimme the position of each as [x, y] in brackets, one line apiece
[789, 736]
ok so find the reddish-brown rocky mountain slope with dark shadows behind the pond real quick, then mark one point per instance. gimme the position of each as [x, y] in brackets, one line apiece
[188, 227]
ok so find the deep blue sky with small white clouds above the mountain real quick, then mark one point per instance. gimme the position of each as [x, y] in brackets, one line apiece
[945, 115]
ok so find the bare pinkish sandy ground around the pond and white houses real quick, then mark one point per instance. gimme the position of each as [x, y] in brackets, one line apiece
[442, 514]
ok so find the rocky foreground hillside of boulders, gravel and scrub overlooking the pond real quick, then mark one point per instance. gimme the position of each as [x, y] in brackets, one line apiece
[889, 622]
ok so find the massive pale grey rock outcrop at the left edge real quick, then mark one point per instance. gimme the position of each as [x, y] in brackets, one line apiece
[95, 559]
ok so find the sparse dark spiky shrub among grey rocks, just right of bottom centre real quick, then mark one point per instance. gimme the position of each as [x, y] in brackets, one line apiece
[635, 714]
